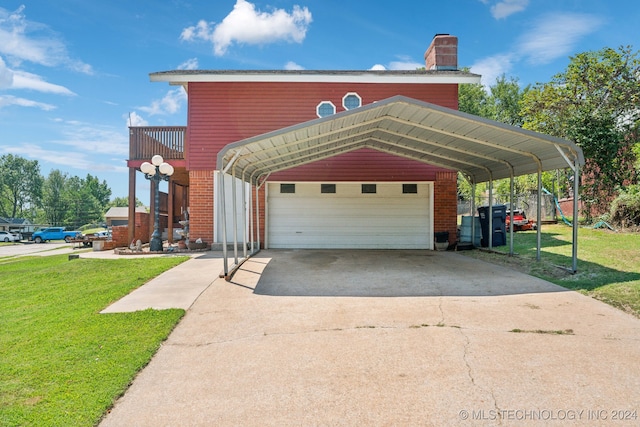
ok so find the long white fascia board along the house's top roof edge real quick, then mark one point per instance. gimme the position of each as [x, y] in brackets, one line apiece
[183, 79]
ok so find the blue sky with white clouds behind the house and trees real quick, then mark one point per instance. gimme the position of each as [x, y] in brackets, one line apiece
[74, 72]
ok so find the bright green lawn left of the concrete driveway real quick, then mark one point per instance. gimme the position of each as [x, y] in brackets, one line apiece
[61, 362]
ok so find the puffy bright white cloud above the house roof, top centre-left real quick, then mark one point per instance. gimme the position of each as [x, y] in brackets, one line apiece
[245, 24]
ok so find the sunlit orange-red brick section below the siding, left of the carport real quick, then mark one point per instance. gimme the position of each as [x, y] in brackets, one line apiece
[201, 205]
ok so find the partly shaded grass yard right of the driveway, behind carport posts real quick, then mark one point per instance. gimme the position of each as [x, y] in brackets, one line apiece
[608, 262]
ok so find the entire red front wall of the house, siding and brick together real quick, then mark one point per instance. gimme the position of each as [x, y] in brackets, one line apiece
[222, 113]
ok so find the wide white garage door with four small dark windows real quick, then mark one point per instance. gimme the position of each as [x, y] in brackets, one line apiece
[350, 215]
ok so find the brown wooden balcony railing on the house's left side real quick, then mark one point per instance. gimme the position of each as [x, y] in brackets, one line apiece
[147, 141]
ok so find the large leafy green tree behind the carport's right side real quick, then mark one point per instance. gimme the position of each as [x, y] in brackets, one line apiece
[594, 103]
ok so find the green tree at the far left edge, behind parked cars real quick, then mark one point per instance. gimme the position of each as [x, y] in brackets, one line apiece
[20, 185]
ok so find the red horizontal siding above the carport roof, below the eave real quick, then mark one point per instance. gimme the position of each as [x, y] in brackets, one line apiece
[222, 113]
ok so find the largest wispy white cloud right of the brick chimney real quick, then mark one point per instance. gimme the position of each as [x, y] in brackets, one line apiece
[554, 36]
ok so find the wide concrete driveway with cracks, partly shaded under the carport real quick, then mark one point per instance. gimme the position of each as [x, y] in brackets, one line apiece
[389, 338]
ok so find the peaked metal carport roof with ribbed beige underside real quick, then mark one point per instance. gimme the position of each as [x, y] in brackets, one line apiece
[480, 148]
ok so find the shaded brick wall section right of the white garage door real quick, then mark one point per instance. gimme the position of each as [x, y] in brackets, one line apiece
[445, 212]
